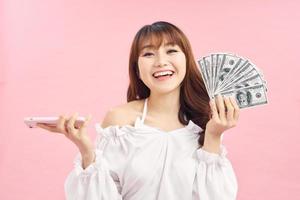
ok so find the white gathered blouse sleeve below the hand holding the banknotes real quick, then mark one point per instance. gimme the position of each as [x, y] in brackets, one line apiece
[215, 178]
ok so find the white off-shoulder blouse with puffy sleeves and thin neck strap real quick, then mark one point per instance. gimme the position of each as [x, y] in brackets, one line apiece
[142, 162]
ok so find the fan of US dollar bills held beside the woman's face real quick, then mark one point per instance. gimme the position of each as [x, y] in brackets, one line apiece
[231, 75]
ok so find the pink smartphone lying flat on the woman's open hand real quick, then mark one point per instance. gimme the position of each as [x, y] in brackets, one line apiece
[52, 121]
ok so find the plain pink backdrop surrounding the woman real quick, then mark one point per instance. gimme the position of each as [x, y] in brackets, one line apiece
[63, 56]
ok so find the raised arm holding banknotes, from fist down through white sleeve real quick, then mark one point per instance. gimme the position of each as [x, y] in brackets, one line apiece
[215, 177]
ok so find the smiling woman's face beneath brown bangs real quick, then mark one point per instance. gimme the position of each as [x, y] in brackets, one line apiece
[168, 58]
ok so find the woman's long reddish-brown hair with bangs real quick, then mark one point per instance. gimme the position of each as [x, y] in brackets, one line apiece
[194, 100]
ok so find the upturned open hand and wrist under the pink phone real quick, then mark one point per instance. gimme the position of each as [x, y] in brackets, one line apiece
[78, 135]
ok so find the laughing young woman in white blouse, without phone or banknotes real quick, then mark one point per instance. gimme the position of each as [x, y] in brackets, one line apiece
[165, 143]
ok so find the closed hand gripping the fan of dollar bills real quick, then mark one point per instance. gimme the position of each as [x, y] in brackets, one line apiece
[222, 120]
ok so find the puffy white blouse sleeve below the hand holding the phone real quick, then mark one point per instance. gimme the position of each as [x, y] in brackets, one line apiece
[98, 181]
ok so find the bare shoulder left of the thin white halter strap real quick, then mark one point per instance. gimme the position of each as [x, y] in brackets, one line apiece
[124, 114]
